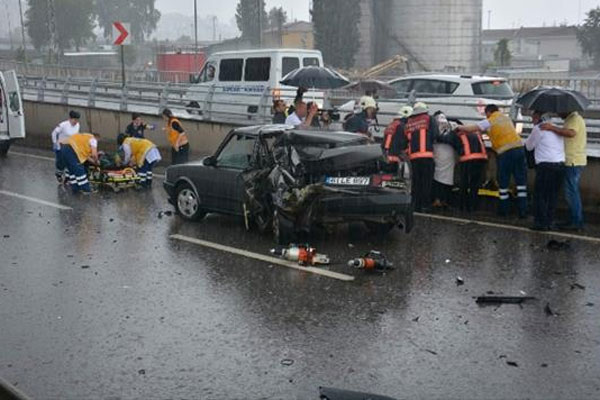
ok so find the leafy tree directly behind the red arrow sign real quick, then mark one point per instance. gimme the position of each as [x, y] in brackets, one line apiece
[141, 14]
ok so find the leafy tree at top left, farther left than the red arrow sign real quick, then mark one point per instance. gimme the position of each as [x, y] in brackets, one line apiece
[74, 22]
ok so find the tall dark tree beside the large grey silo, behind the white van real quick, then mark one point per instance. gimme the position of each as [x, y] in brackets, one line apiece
[335, 24]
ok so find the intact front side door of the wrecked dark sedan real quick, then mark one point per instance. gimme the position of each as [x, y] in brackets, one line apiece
[226, 186]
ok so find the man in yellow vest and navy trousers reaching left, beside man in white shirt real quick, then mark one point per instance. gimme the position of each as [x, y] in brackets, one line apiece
[511, 159]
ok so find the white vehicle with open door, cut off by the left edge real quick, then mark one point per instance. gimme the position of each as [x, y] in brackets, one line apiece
[12, 120]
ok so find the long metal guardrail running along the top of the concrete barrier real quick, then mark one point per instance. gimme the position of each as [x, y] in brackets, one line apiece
[230, 104]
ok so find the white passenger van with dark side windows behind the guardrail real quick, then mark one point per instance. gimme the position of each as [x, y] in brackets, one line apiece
[232, 84]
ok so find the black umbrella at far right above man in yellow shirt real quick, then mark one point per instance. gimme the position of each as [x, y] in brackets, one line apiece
[553, 99]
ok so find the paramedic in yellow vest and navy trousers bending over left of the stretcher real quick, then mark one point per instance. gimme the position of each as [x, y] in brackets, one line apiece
[76, 150]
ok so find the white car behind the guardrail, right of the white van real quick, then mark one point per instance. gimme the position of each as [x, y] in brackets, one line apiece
[462, 97]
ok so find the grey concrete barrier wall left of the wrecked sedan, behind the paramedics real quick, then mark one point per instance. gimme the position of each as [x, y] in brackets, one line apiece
[41, 119]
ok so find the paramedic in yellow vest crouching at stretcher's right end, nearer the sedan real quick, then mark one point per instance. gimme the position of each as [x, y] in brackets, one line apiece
[141, 153]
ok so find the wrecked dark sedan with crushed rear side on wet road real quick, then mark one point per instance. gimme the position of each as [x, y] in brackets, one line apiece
[292, 181]
